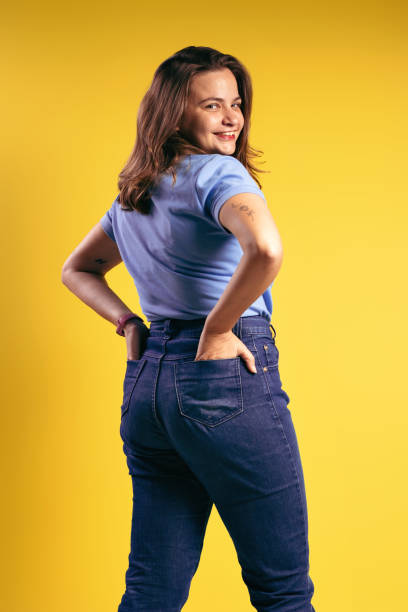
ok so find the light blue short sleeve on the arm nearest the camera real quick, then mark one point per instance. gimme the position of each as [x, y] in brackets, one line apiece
[222, 177]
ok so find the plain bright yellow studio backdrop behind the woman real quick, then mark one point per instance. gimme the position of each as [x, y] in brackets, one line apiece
[330, 102]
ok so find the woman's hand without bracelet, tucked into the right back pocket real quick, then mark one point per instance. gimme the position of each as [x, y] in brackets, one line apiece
[223, 345]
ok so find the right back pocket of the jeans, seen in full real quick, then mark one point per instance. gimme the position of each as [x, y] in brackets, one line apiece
[209, 391]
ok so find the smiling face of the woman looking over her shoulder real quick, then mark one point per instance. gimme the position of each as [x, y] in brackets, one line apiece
[213, 108]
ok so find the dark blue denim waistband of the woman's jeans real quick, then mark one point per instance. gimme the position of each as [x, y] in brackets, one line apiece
[256, 324]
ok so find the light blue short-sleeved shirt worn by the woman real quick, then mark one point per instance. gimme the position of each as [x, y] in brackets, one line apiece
[180, 256]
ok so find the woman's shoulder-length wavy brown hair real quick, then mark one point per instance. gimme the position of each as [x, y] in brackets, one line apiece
[159, 146]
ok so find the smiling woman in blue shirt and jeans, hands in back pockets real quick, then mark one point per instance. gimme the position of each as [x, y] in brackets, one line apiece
[204, 418]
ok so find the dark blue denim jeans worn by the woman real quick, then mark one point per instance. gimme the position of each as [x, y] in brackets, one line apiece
[202, 432]
